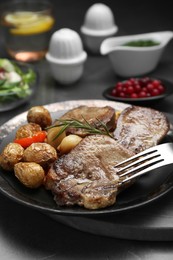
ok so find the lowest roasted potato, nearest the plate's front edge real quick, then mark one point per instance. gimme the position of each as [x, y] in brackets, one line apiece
[30, 174]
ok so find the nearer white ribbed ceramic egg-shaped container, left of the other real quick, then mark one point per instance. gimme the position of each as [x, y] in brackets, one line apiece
[66, 56]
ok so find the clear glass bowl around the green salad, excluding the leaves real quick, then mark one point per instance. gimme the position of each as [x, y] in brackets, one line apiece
[11, 99]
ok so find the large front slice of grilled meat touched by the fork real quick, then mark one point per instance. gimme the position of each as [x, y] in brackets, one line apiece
[86, 176]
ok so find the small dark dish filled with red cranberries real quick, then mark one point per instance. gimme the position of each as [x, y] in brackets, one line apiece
[135, 90]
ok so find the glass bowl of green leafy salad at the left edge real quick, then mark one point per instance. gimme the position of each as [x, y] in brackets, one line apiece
[17, 84]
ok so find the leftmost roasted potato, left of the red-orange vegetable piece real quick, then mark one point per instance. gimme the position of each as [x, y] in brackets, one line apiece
[12, 154]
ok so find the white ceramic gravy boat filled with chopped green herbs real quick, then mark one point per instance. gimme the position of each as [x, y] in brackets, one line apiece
[133, 61]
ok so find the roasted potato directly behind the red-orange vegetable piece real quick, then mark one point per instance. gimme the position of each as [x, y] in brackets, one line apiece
[27, 130]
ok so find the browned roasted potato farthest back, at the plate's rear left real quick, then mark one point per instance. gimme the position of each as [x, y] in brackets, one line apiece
[39, 115]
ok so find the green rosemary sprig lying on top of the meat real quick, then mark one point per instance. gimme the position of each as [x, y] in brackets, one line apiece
[97, 128]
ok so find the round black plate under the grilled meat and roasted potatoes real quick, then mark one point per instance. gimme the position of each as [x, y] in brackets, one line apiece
[147, 189]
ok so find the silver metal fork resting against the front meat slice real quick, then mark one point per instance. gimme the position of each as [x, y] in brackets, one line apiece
[143, 162]
